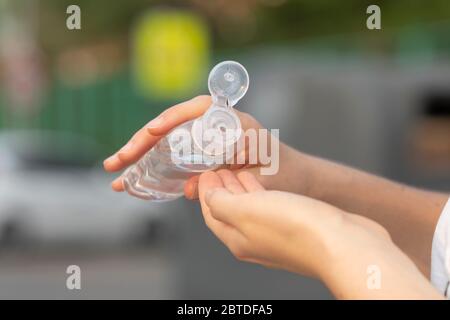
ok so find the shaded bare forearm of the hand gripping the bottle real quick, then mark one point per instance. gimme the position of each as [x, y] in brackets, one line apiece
[410, 215]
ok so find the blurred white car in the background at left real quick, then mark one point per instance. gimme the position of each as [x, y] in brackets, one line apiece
[52, 189]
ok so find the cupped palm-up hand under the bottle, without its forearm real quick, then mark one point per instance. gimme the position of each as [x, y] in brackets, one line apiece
[272, 228]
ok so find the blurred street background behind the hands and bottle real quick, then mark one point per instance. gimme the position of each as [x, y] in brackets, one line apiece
[375, 99]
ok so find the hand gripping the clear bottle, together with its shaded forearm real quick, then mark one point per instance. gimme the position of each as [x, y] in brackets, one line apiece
[398, 208]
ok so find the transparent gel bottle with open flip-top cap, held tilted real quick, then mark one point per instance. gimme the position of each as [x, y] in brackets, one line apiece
[161, 173]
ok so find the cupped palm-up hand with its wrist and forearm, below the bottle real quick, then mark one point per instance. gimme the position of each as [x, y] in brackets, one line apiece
[309, 237]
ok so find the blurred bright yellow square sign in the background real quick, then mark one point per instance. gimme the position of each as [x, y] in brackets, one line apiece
[170, 54]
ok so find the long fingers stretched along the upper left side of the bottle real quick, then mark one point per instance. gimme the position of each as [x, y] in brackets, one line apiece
[149, 135]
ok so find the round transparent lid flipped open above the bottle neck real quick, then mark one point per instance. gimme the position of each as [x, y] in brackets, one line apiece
[228, 82]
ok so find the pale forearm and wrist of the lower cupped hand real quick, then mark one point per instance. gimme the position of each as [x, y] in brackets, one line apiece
[363, 263]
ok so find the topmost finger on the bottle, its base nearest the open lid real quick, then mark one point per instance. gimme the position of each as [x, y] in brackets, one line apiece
[178, 114]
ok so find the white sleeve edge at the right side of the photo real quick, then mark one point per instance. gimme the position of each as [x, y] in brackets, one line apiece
[440, 253]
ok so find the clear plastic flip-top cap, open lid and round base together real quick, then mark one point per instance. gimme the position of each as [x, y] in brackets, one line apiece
[228, 82]
